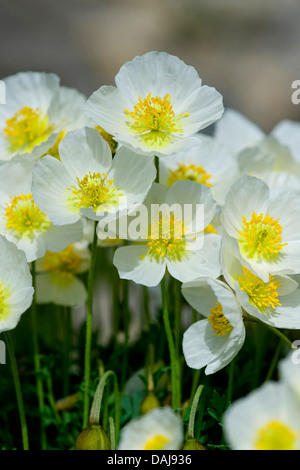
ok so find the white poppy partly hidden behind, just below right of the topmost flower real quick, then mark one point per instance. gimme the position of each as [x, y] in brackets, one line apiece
[205, 161]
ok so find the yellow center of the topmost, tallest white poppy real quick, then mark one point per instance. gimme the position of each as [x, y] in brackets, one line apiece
[154, 119]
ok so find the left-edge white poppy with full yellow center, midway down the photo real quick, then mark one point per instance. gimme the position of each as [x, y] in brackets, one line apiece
[22, 222]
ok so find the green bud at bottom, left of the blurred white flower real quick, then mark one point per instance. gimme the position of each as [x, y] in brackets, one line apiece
[93, 438]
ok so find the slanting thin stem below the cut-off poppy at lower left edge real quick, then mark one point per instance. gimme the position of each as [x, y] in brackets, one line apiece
[14, 368]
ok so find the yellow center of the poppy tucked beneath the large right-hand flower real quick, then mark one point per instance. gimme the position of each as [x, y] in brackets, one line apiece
[262, 295]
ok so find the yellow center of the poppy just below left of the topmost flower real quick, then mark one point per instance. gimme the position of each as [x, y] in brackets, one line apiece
[93, 191]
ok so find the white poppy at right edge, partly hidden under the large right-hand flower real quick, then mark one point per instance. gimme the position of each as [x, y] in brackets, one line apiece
[276, 301]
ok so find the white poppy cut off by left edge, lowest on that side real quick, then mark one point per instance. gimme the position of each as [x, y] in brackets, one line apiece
[16, 289]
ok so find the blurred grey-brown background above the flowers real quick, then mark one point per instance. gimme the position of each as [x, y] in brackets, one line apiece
[249, 50]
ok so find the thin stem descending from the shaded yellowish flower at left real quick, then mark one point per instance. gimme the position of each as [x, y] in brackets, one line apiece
[37, 361]
